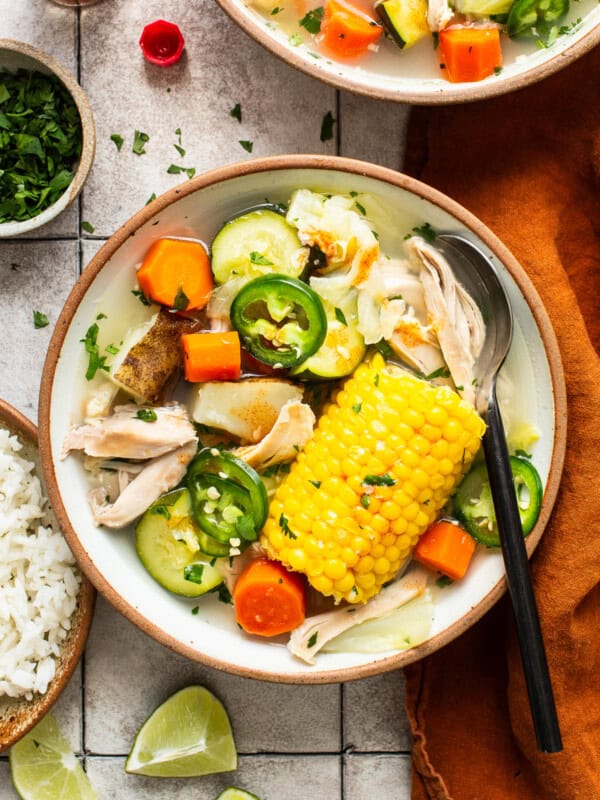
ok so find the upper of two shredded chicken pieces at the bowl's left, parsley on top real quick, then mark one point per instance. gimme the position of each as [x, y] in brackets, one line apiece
[125, 435]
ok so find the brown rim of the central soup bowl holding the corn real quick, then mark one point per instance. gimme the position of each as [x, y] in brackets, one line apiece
[265, 165]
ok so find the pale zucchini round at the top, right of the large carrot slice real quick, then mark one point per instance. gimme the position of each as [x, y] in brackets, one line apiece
[257, 243]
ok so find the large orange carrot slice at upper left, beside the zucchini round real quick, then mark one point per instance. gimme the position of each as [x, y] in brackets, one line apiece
[176, 273]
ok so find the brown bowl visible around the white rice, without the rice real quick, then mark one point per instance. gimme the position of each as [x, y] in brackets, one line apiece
[19, 716]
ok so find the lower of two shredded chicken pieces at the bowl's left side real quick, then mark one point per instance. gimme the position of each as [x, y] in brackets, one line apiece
[158, 476]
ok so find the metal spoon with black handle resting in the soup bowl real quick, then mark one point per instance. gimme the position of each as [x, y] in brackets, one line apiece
[477, 274]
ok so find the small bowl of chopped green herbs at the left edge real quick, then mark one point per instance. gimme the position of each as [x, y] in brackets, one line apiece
[47, 138]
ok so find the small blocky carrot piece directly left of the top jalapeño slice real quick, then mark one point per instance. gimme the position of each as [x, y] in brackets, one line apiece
[211, 356]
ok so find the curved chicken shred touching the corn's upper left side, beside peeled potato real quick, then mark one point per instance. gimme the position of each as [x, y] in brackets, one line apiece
[292, 430]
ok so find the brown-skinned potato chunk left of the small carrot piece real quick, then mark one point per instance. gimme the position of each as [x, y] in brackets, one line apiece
[153, 354]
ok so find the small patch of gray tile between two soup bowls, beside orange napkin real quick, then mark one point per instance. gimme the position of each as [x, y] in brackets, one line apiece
[383, 142]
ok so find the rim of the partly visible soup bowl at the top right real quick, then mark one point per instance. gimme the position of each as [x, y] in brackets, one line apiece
[481, 90]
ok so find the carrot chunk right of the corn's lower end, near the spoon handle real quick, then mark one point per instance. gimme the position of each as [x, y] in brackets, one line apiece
[447, 548]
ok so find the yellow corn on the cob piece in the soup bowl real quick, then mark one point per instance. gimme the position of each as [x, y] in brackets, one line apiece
[385, 457]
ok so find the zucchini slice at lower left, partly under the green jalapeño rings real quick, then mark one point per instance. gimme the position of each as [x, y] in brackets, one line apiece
[168, 543]
